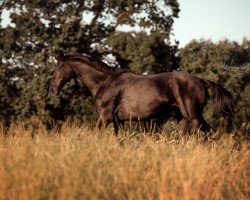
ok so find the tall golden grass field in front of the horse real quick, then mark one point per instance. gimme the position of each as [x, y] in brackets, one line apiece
[79, 163]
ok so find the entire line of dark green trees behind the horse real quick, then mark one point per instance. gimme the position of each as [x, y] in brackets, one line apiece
[37, 30]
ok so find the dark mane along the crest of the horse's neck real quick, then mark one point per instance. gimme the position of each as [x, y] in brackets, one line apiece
[94, 62]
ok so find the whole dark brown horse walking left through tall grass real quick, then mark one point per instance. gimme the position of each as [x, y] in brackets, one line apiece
[121, 95]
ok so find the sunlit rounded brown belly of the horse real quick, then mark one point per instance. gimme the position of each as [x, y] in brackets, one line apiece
[142, 99]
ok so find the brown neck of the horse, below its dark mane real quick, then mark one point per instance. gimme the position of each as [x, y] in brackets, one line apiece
[90, 77]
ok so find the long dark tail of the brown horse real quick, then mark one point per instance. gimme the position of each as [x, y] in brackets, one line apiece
[223, 101]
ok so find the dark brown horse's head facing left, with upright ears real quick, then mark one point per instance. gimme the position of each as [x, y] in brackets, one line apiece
[63, 73]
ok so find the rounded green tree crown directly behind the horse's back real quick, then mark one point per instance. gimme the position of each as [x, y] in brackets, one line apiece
[144, 53]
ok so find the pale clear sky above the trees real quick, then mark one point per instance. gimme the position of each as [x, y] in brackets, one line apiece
[208, 19]
